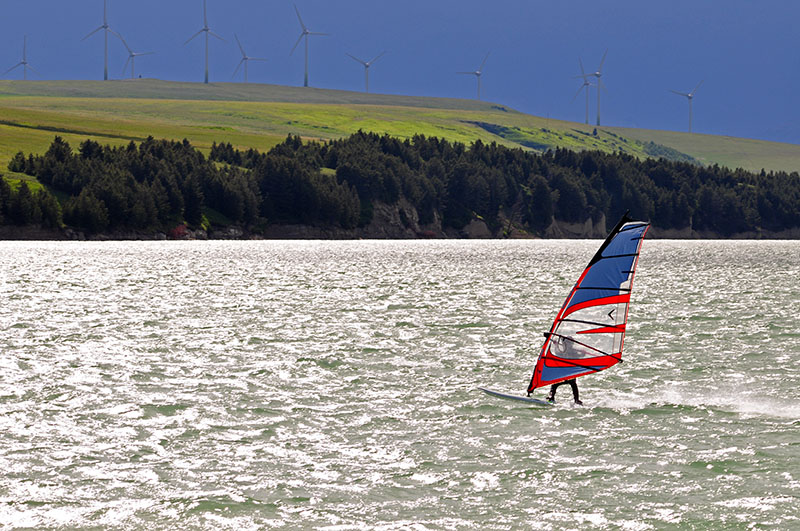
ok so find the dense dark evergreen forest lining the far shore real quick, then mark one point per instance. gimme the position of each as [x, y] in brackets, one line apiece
[158, 185]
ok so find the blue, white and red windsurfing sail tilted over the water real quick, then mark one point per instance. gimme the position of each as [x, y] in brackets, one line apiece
[588, 332]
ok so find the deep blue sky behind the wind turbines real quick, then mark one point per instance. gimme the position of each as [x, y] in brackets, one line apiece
[746, 52]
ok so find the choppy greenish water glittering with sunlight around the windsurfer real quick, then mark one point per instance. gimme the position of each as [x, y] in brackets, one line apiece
[244, 385]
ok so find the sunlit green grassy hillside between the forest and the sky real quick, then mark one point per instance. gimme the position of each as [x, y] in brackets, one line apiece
[259, 116]
